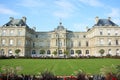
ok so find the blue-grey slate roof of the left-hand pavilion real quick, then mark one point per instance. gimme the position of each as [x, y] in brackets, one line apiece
[16, 22]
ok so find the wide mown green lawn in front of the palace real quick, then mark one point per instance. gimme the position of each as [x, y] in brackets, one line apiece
[59, 66]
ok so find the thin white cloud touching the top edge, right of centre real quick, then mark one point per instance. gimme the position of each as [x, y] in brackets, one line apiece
[94, 3]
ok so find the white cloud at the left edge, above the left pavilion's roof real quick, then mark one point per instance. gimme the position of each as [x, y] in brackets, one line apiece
[5, 10]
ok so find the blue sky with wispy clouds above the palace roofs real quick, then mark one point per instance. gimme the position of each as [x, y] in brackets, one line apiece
[45, 15]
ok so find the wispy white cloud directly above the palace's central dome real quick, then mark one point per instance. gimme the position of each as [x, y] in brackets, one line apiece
[64, 9]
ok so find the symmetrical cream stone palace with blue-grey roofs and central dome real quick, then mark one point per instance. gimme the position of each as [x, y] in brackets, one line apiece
[16, 34]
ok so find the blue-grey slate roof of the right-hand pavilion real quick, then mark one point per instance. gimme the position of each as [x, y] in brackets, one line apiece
[105, 22]
